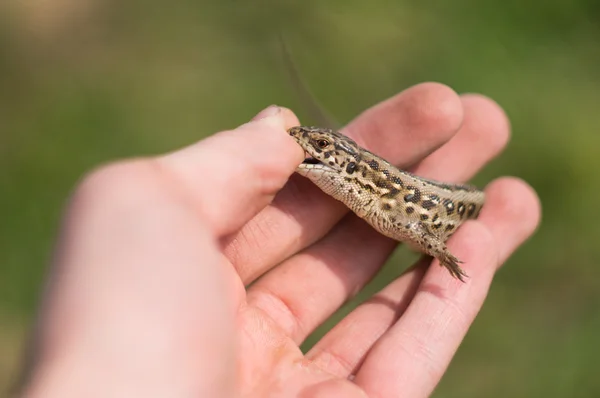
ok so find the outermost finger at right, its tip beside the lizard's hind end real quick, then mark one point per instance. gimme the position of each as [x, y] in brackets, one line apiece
[414, 353]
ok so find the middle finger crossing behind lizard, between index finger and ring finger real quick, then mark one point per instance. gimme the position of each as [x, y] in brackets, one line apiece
[339, 265]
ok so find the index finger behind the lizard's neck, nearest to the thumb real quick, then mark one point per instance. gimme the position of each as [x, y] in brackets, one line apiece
[404, 129]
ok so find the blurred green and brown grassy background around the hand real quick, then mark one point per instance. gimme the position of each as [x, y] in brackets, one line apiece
[84, 82]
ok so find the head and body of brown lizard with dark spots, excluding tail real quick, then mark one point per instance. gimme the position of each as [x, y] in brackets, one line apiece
[420, 212]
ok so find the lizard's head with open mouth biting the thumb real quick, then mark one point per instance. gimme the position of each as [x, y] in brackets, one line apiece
[326, 149]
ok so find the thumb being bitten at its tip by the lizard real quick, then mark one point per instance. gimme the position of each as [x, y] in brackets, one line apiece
[231, 175]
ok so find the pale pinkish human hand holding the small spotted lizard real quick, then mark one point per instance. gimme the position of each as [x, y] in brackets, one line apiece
[147, 294]
